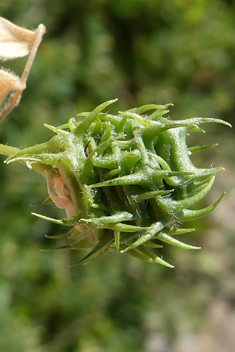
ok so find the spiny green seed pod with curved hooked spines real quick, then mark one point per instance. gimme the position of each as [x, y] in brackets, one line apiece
[126, 181]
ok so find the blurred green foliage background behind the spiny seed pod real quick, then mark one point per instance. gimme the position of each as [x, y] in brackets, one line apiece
[140, 51]
